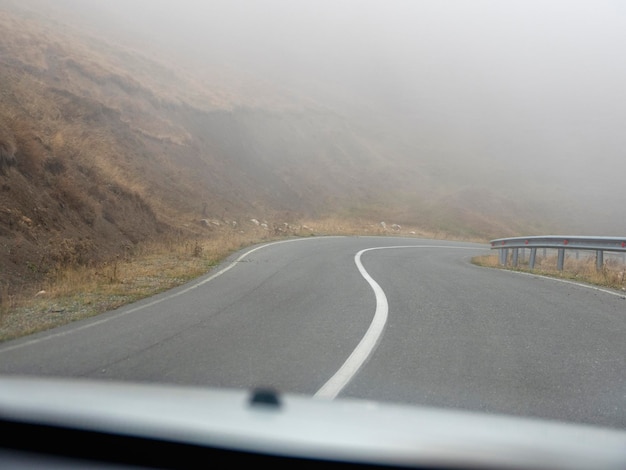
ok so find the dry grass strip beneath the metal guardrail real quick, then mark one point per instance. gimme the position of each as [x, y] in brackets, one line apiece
[582, 269]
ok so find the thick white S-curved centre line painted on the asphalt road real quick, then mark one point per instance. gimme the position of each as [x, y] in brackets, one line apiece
[372, 336]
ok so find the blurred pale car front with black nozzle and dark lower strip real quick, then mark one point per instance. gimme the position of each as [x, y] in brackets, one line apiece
[78, 423]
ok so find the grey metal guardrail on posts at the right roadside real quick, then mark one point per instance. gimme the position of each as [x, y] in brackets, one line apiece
[558, 242]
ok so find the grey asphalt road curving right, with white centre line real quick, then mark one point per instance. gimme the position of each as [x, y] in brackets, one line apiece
[384, 318]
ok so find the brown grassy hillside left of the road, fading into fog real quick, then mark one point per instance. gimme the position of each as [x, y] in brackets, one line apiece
[103, 147]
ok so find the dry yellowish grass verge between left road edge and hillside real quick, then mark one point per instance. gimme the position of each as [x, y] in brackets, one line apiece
[74, 292]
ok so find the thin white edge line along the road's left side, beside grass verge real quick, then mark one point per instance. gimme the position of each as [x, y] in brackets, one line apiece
[149, 304]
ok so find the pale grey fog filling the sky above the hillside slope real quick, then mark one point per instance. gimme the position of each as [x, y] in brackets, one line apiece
[533, 88]
